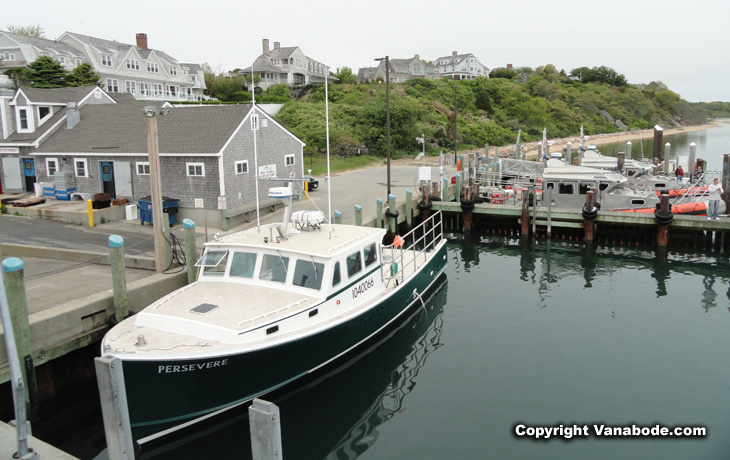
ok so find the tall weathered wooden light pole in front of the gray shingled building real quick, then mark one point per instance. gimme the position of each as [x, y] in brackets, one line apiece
[156, 195]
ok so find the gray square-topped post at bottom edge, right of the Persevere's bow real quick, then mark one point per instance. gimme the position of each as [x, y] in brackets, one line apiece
[265, 429]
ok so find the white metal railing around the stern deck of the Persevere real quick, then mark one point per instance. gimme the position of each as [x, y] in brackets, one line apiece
[399, 263]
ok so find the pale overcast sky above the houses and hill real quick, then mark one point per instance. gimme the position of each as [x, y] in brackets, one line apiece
[680, 43]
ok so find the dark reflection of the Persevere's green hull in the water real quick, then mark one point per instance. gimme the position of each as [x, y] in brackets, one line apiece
[336, 415]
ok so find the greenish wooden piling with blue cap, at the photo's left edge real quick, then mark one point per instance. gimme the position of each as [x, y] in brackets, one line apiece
[13, 278]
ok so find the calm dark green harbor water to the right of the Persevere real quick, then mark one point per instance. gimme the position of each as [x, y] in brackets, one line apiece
[535, 334]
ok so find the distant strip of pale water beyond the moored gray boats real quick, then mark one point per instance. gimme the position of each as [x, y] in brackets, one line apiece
[712, 144]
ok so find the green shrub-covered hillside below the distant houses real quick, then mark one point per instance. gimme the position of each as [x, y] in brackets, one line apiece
[489, 111]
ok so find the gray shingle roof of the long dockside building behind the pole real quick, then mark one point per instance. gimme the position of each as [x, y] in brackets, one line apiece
[122, 128]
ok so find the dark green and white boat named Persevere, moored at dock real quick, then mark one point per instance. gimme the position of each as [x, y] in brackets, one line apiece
[270, 305]
